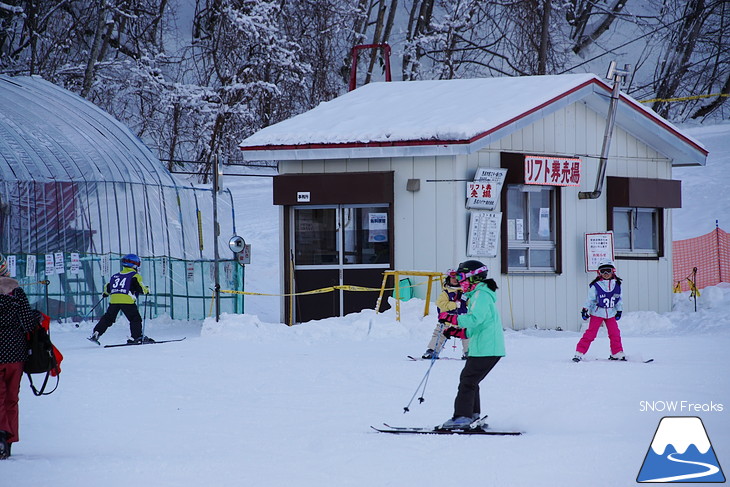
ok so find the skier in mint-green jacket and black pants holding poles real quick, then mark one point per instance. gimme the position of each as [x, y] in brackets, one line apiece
[483, 326]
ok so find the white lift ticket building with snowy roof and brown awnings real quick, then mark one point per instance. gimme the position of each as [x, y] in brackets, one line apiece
[377, 179]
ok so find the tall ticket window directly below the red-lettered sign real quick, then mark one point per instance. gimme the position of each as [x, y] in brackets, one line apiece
[532, 228]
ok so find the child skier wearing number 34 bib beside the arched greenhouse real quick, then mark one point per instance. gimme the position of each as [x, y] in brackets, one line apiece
[123, 289]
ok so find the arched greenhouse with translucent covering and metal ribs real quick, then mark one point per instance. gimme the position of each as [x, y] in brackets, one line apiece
[78, 190]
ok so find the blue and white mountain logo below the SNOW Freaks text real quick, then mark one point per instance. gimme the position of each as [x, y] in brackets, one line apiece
[681, 452]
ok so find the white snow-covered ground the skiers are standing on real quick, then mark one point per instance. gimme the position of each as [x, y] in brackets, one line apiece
[250, 401]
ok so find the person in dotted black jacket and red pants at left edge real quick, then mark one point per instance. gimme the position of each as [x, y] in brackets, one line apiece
[16, 319]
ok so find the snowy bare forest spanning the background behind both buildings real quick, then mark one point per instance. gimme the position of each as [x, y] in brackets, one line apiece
[192, 78]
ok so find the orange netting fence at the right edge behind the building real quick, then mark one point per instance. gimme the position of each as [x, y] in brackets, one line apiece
[702, 261]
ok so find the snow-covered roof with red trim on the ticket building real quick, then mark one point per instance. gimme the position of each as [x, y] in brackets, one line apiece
[451, 117]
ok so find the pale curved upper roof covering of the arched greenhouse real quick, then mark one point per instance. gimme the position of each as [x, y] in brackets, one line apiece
[48, 133]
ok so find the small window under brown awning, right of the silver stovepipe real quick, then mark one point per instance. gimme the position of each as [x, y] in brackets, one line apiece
[636, 230]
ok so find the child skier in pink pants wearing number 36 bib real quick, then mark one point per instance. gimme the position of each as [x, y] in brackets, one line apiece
[604, 305]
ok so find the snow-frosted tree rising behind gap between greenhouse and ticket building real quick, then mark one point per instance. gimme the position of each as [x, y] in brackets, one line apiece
[249, 67]
